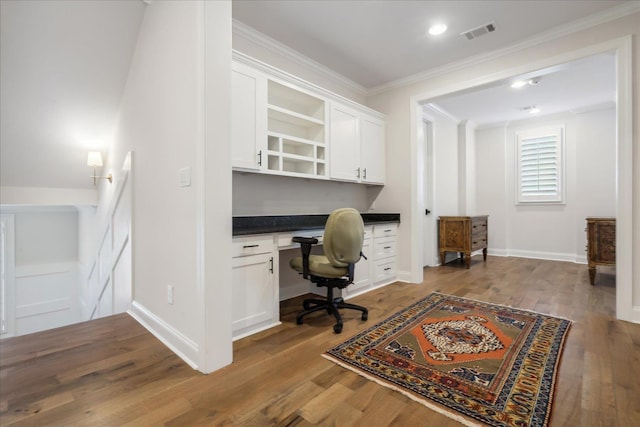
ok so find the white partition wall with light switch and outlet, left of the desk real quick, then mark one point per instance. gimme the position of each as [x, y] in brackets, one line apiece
[174, 115]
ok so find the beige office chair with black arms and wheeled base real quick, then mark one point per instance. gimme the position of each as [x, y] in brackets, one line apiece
[343, 237]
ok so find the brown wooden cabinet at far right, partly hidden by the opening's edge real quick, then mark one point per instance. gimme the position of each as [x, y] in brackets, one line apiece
[601, 244]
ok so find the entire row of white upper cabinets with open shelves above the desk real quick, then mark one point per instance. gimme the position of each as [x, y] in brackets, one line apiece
[284, 126]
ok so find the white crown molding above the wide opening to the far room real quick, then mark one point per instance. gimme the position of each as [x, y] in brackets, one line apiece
[579, 25]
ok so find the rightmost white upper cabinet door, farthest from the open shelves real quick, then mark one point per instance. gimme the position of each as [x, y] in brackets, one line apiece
[373, 155]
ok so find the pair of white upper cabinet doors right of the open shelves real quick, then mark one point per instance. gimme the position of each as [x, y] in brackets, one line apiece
[357, 146]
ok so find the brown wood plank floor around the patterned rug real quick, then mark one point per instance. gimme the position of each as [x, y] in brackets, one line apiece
[113, 372]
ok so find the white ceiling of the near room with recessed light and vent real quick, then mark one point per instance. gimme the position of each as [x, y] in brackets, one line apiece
[377, 42]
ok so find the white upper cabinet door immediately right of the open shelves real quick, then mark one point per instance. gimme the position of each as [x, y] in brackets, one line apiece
[345, 148]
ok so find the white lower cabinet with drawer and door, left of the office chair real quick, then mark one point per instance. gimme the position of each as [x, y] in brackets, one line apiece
[255, 304]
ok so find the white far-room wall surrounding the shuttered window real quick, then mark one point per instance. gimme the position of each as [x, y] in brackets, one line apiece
[548, 231]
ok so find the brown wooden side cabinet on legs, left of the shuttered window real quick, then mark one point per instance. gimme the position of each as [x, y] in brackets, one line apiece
[463, 234]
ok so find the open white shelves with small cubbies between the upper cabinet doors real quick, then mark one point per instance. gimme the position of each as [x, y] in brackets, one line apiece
[296, 132]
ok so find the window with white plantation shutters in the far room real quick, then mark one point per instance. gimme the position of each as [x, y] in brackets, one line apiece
[540, 166]
